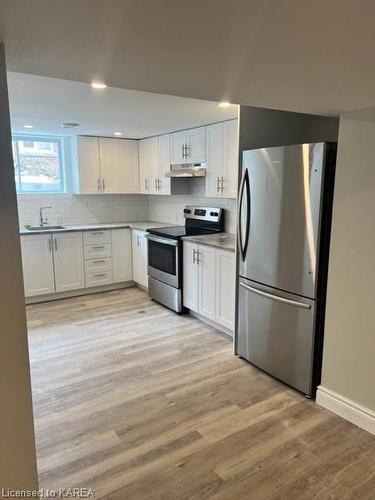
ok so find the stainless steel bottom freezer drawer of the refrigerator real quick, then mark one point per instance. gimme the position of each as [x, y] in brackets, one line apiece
[276, 333]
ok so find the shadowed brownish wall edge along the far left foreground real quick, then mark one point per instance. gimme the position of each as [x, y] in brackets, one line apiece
[17, 448]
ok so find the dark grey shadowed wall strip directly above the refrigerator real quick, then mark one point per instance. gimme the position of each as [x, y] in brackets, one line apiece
[260, 128]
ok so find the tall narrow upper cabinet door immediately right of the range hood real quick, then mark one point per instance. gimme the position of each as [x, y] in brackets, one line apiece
[215, 159]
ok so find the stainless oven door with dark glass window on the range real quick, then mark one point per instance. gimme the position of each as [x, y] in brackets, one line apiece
[164, 260]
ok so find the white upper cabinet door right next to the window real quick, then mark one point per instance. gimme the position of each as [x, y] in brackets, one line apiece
[86, 167]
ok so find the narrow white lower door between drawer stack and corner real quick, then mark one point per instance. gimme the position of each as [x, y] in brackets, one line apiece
[122, 255]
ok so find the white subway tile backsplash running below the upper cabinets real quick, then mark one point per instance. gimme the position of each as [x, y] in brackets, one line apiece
[90, 209]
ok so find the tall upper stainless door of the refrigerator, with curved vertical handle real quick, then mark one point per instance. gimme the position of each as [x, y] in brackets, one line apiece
[279, 216]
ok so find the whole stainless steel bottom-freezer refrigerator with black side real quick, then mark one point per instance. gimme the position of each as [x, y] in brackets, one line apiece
[284, 219]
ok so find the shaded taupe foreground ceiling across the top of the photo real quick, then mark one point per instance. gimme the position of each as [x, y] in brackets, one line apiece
[300, 55]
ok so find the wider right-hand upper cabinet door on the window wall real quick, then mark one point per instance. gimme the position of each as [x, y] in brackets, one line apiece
[119, 165]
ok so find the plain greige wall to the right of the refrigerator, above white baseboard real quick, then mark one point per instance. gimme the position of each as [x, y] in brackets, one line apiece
[349, 344]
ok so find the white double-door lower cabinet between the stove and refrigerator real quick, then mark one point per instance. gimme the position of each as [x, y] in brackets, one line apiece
[209, 282]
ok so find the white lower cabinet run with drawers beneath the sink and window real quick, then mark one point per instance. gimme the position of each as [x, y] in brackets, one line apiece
[66, 261]
